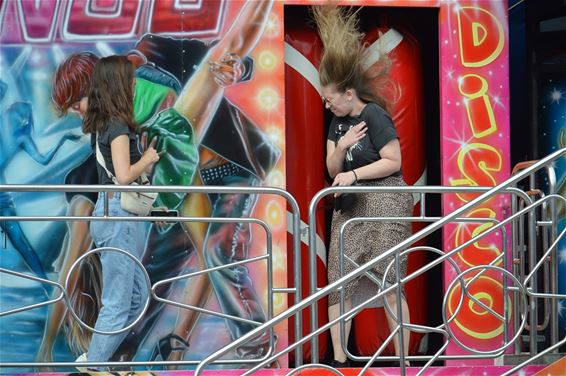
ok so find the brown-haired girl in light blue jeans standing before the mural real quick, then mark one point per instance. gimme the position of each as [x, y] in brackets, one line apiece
[110, 121]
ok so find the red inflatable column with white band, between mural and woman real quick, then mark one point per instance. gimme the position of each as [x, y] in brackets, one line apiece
[305, 142]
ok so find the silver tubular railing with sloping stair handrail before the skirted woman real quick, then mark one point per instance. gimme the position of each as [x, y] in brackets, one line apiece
[524, 288]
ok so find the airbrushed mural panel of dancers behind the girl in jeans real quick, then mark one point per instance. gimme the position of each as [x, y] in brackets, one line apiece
[45, 48]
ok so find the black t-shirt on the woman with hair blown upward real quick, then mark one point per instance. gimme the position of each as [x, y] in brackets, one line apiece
[380, 131]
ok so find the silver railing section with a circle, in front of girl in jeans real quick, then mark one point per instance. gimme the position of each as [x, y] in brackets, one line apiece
[63, 295]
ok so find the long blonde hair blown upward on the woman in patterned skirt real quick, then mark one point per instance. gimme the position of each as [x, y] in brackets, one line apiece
[342, 58]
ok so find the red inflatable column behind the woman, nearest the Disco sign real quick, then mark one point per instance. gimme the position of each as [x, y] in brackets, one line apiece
[408, 116]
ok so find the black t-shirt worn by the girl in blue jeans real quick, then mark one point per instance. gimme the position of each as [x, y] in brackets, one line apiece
[115, 128]
